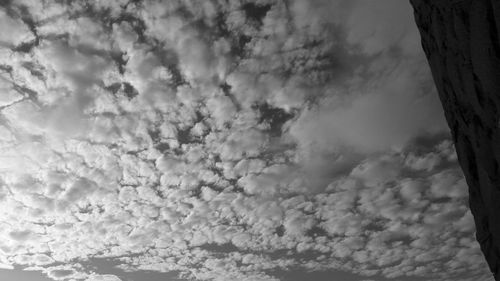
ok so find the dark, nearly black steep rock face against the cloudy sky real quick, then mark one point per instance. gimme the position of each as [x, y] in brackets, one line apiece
[461, 42]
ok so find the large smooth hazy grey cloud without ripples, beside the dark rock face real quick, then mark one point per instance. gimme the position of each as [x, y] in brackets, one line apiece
[364, 120]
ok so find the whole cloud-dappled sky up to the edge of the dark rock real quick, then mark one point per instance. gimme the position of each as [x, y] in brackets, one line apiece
[224, 140]
